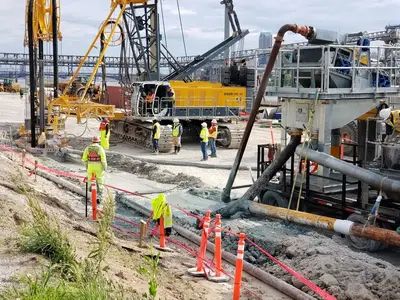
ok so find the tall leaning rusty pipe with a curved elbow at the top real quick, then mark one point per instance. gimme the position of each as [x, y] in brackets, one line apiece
[306, 31]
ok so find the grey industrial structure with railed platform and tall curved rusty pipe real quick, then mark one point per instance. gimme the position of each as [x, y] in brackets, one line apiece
[323, 86]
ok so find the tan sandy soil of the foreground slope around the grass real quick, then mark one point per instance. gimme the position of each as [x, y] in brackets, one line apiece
[123, 264]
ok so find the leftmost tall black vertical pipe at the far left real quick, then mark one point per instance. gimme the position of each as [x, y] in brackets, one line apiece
[32, 79]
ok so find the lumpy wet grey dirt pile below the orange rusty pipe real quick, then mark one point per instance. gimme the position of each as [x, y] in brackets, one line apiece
[333, 266]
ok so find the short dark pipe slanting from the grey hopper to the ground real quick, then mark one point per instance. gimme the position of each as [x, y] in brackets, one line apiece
[274, 167]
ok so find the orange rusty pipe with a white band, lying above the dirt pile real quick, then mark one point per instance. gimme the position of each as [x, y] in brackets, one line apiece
[346, 227]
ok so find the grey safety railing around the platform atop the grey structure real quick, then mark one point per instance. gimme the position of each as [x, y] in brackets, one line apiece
[336, 69]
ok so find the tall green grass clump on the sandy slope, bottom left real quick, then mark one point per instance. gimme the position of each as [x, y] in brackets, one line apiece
[66, 278]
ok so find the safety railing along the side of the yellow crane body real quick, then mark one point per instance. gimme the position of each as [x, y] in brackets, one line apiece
[193, 107]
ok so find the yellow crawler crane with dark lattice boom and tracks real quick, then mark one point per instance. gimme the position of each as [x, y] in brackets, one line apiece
[194, 102]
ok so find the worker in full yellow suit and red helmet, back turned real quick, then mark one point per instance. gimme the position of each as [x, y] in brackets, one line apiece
[94, 158]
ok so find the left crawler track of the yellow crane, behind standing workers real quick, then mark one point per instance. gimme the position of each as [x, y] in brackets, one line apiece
[140, 133]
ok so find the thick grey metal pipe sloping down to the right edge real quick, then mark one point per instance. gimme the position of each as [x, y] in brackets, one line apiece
[375, 180]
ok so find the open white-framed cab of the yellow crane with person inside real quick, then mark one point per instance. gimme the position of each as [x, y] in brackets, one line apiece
[151, 98]
